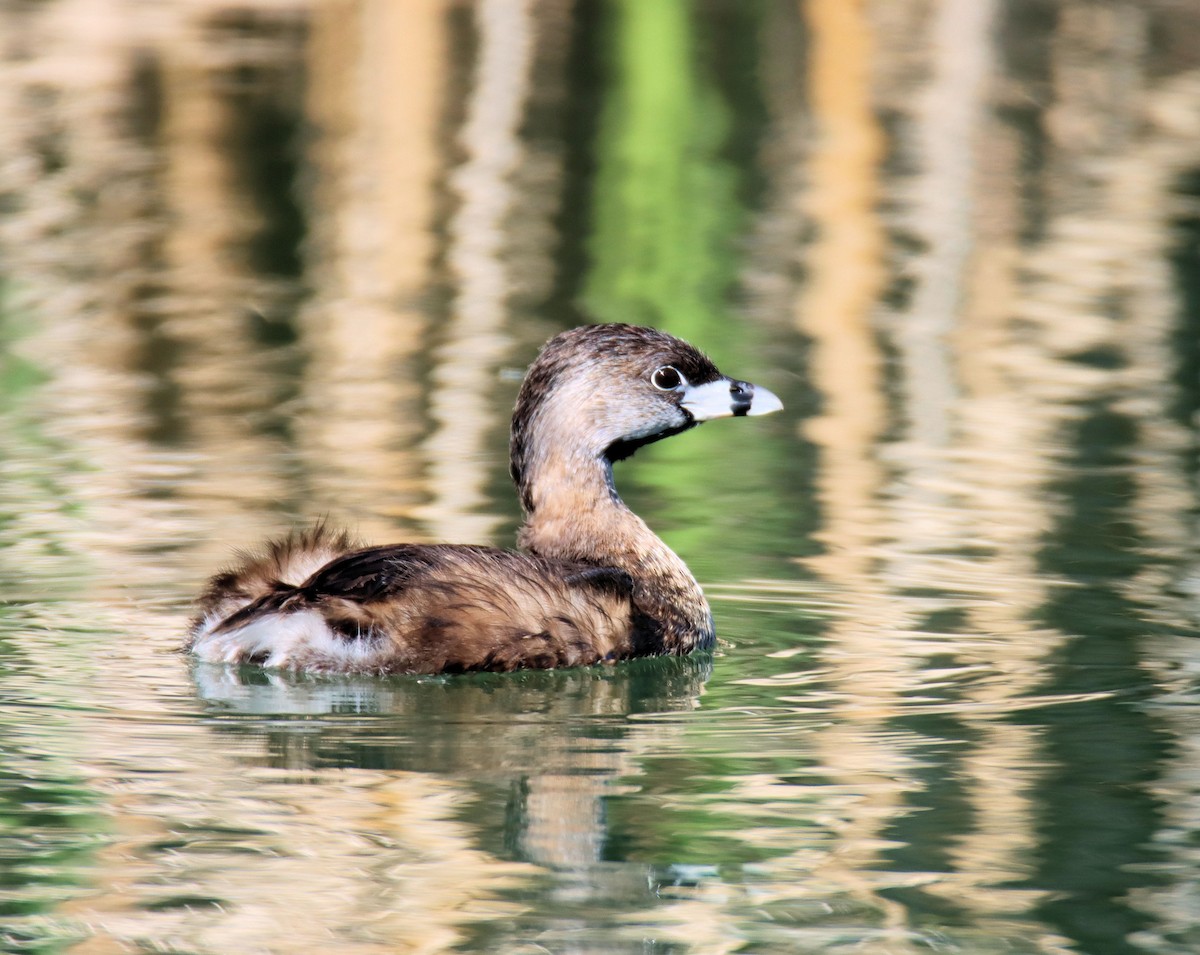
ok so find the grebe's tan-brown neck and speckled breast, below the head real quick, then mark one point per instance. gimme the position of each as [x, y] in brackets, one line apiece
[573, 513]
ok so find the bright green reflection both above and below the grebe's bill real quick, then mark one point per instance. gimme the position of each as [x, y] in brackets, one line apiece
[669, 201]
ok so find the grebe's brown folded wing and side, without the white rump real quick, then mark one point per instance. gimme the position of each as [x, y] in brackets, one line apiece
[431, 609]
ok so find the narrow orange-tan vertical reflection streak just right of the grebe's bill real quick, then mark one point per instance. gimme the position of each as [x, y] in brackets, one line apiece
[847, 369]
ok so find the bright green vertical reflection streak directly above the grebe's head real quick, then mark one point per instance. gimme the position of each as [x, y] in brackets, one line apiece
[665, 203]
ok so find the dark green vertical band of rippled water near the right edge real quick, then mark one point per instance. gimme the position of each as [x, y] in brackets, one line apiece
[1099, 810]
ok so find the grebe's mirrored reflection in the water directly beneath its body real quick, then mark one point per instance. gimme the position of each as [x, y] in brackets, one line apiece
[543, 748]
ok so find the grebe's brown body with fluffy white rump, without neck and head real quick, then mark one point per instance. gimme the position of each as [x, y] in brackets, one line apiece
[413, 609]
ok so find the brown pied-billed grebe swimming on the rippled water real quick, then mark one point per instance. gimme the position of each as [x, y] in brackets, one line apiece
[593, 585]
